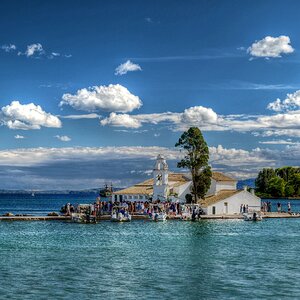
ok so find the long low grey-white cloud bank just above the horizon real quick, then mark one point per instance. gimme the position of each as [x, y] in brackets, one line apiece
[57, 168]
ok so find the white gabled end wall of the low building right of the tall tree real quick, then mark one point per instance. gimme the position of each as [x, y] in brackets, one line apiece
[234, 203]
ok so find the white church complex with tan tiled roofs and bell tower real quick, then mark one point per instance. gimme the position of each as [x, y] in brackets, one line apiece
[221, 198]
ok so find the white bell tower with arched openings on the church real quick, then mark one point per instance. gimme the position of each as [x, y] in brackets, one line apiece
[160, 179]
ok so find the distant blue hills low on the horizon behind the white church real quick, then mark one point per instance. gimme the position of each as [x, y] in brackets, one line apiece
[95, 191]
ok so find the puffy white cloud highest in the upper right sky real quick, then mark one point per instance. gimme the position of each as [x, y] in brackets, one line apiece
[271, 47]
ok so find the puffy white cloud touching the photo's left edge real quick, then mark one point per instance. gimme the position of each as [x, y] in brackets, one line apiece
[27, 116]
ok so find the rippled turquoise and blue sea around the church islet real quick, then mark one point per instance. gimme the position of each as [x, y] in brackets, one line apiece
[210, 259]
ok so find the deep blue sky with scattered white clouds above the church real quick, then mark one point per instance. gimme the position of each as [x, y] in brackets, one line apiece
[91, 92]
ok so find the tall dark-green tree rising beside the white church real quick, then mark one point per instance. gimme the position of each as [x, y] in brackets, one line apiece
[196, 160]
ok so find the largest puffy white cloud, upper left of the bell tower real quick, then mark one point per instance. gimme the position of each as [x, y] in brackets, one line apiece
[111, 98]
